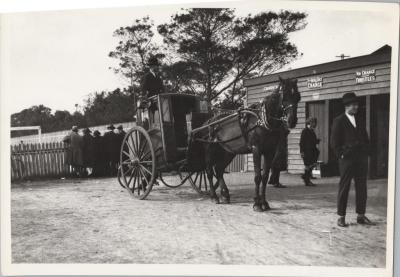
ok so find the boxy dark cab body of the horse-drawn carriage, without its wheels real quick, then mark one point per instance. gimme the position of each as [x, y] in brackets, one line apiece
[171, 118]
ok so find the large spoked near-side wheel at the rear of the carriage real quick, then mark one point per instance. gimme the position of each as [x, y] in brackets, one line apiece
[138, 168]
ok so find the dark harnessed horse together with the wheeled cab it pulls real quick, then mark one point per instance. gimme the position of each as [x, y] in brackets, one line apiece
[181, 135]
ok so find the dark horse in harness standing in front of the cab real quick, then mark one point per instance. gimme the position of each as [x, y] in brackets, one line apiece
[259, 129]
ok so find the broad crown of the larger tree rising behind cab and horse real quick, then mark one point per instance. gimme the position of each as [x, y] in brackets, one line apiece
[220, 50]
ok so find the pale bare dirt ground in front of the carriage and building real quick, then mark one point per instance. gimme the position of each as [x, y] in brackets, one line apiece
[96, 221]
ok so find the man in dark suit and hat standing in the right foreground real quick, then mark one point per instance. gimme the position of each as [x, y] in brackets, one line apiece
[350, 142]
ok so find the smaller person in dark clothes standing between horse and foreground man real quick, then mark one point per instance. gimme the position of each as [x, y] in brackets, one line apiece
[308, 149]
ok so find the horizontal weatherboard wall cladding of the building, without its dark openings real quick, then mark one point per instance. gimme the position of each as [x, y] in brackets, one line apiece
[334, 85]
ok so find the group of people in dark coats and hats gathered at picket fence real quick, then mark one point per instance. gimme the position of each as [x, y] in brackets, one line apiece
[94, 154]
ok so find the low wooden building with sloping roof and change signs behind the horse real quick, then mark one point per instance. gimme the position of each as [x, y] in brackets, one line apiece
[322, 87]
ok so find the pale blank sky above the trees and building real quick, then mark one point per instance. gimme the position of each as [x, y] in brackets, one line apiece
[57, 58]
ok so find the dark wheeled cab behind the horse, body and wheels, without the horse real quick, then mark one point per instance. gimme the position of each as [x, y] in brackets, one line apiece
[161, 143]
